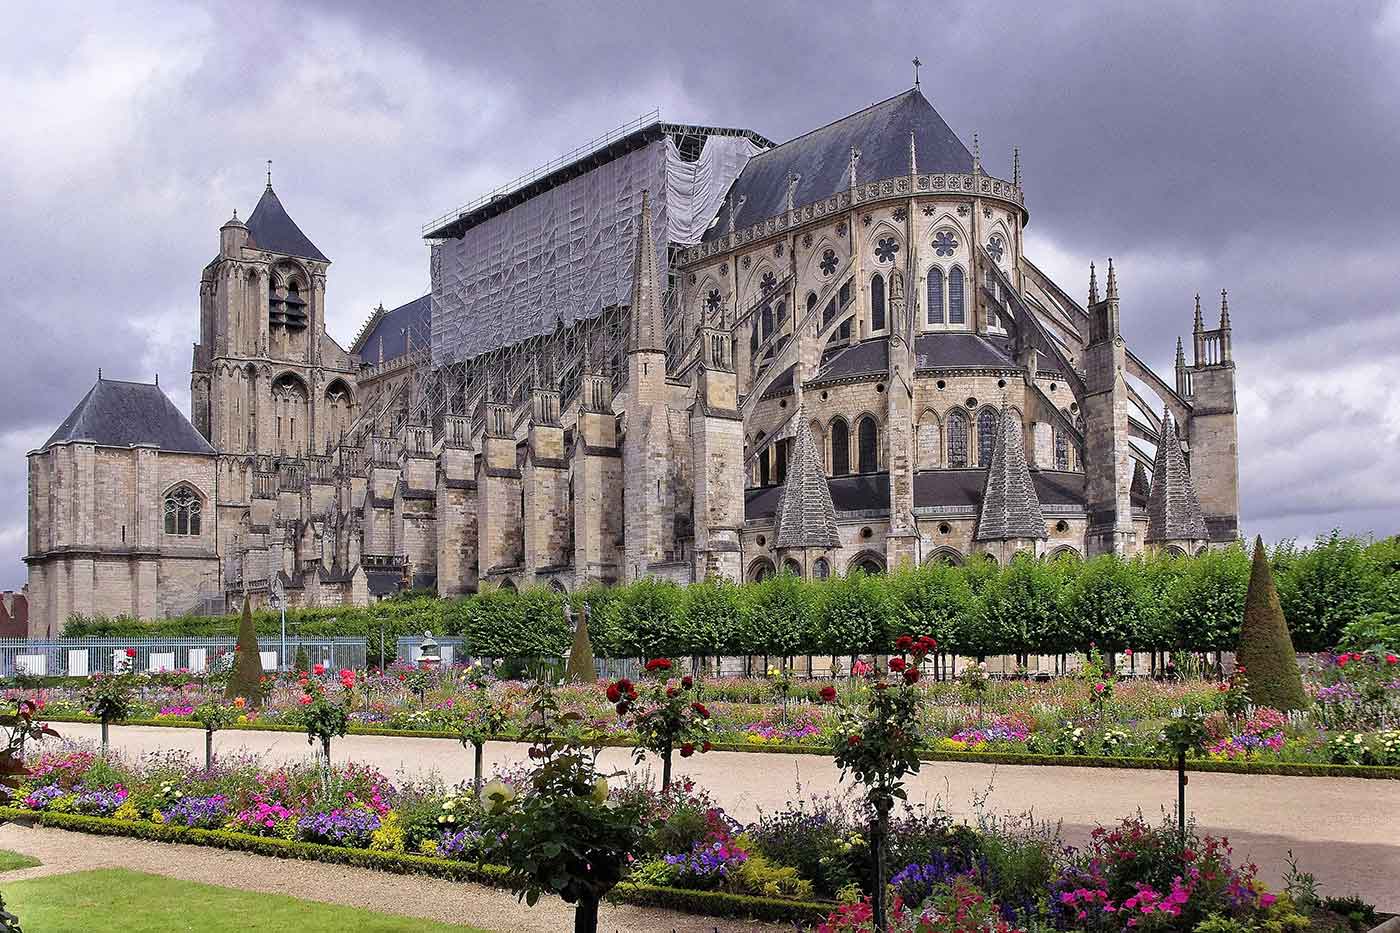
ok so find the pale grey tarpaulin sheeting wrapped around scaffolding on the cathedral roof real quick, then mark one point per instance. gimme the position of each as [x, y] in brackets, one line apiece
[565, 254]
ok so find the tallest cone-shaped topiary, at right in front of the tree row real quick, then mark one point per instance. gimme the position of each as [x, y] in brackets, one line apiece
[1266, 652]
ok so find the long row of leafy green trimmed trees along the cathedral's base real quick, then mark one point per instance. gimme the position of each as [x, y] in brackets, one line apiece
[1028, 607]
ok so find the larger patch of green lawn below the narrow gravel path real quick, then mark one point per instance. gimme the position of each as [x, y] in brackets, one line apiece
[136, 903]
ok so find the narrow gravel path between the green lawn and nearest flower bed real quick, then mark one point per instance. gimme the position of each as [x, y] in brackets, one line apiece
[411, 896]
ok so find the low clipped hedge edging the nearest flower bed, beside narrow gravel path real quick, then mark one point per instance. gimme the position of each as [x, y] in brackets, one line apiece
[706, 903]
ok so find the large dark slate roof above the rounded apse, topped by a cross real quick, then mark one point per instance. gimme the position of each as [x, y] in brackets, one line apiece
[822, 159]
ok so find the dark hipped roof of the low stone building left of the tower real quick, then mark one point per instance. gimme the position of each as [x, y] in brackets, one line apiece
[117, 414]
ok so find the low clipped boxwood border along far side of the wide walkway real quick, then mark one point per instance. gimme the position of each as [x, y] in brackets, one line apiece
[1241, 767]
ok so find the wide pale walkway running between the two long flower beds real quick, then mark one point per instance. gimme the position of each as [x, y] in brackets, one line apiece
[1343, 830]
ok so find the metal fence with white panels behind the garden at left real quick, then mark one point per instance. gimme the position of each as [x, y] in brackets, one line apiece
[80, 658]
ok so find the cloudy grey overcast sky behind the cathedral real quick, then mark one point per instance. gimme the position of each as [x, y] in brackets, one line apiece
[1244, 146]
